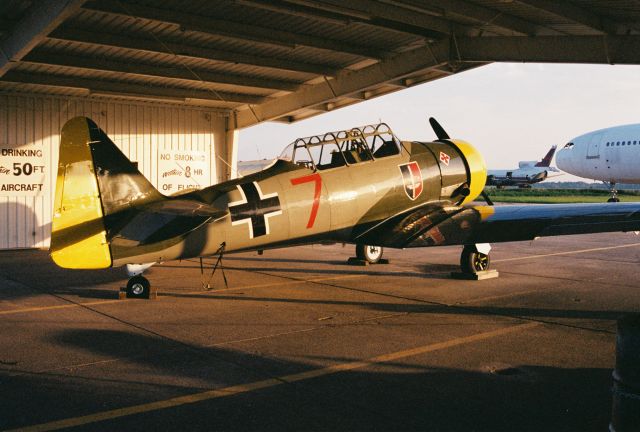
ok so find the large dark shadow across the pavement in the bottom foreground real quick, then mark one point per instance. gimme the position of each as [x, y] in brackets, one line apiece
[397, 396]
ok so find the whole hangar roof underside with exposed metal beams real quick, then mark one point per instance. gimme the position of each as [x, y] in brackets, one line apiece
[285, 60]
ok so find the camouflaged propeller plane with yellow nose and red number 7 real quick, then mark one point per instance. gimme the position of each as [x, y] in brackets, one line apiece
[361, 186]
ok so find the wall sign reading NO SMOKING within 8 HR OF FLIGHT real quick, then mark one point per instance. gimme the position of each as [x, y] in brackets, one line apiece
[182, 170]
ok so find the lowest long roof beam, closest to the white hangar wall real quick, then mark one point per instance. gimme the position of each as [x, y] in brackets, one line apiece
[124, 89]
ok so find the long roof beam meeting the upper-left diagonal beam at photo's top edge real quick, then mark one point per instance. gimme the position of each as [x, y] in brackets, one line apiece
[234, 30]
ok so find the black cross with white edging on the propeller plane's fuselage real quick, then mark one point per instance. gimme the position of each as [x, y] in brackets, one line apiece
[254, 209]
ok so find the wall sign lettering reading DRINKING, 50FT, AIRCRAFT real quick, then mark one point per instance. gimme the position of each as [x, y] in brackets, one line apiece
[23, 171]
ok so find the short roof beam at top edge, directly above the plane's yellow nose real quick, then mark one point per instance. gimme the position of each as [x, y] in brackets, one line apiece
[481, 14]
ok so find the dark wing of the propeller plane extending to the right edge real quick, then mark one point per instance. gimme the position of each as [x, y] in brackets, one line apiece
[430, 226]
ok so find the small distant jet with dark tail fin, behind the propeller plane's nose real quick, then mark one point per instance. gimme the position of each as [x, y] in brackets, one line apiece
[527, 173]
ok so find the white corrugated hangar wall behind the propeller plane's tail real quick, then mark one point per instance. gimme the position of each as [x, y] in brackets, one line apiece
[153, 135]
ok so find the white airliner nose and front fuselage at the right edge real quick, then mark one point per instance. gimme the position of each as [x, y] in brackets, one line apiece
[611, 155]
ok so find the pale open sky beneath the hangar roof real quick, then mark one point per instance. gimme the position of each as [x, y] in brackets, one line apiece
[508, 111]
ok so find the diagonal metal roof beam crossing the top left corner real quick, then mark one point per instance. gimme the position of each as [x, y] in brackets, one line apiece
[40, 20]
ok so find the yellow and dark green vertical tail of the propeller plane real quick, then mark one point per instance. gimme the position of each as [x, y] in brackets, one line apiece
[95, 179]
